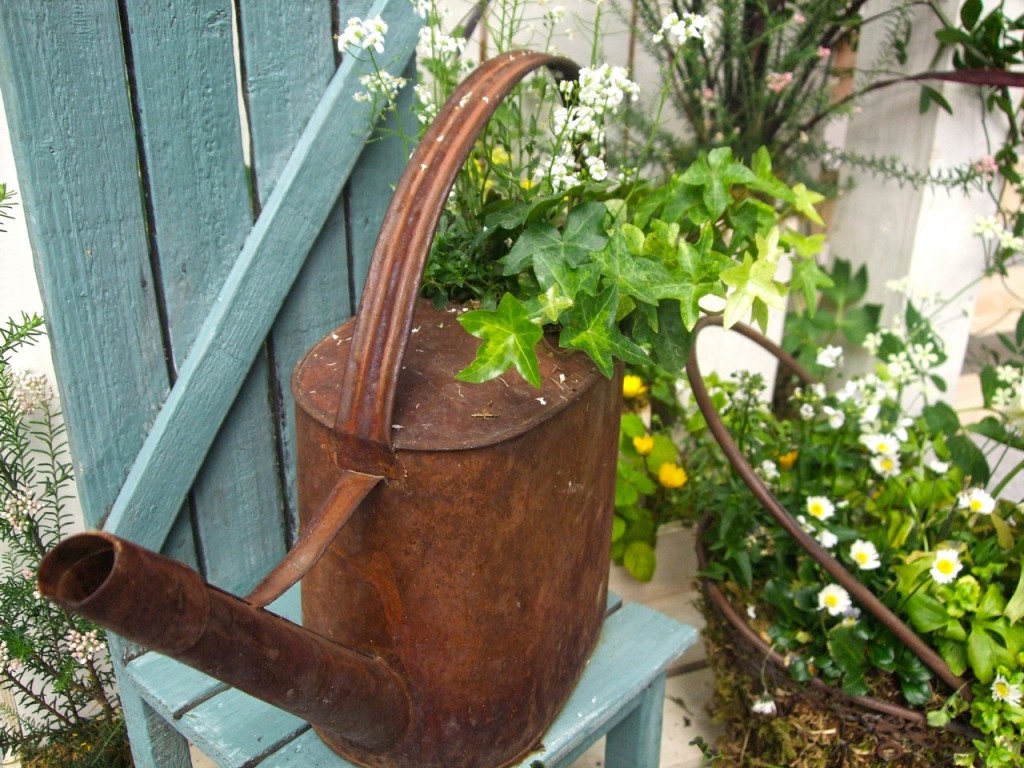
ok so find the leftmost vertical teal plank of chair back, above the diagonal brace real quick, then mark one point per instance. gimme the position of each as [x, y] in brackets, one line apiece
[76, 152]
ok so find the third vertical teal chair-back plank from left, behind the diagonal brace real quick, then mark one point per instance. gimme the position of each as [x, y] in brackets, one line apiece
[285, 76]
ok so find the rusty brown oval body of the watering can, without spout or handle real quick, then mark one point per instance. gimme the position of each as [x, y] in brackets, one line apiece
[478, 570]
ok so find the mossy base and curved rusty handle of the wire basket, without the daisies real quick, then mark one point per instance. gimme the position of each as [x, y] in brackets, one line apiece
[835, 729]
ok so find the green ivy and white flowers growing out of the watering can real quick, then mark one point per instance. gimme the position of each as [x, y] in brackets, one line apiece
[543, 230]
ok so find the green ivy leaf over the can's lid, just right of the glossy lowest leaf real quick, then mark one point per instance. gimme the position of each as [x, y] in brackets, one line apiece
[591, 327]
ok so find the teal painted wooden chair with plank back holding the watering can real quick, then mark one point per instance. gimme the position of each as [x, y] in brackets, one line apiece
[189, 252]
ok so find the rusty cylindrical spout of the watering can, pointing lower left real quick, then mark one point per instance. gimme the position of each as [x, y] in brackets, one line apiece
[158, 603]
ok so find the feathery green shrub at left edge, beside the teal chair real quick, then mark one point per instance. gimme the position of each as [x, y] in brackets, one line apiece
[53, 663]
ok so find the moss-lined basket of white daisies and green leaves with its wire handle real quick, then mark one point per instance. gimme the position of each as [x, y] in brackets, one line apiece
[864, 563]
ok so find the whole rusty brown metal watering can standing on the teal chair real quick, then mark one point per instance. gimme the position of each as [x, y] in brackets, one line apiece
[455, 541]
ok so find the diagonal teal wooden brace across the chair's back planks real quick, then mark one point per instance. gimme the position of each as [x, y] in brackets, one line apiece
[255, 288]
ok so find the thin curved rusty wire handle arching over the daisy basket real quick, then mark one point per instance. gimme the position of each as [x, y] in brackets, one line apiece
[859, 591]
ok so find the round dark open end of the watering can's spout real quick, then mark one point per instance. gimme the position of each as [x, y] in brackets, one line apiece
[77, 569]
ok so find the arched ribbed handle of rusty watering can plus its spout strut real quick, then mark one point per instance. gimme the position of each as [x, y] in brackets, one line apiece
[386, 318]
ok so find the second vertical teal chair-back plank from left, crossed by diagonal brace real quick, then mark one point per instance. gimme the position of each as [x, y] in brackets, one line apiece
[184, 75]
